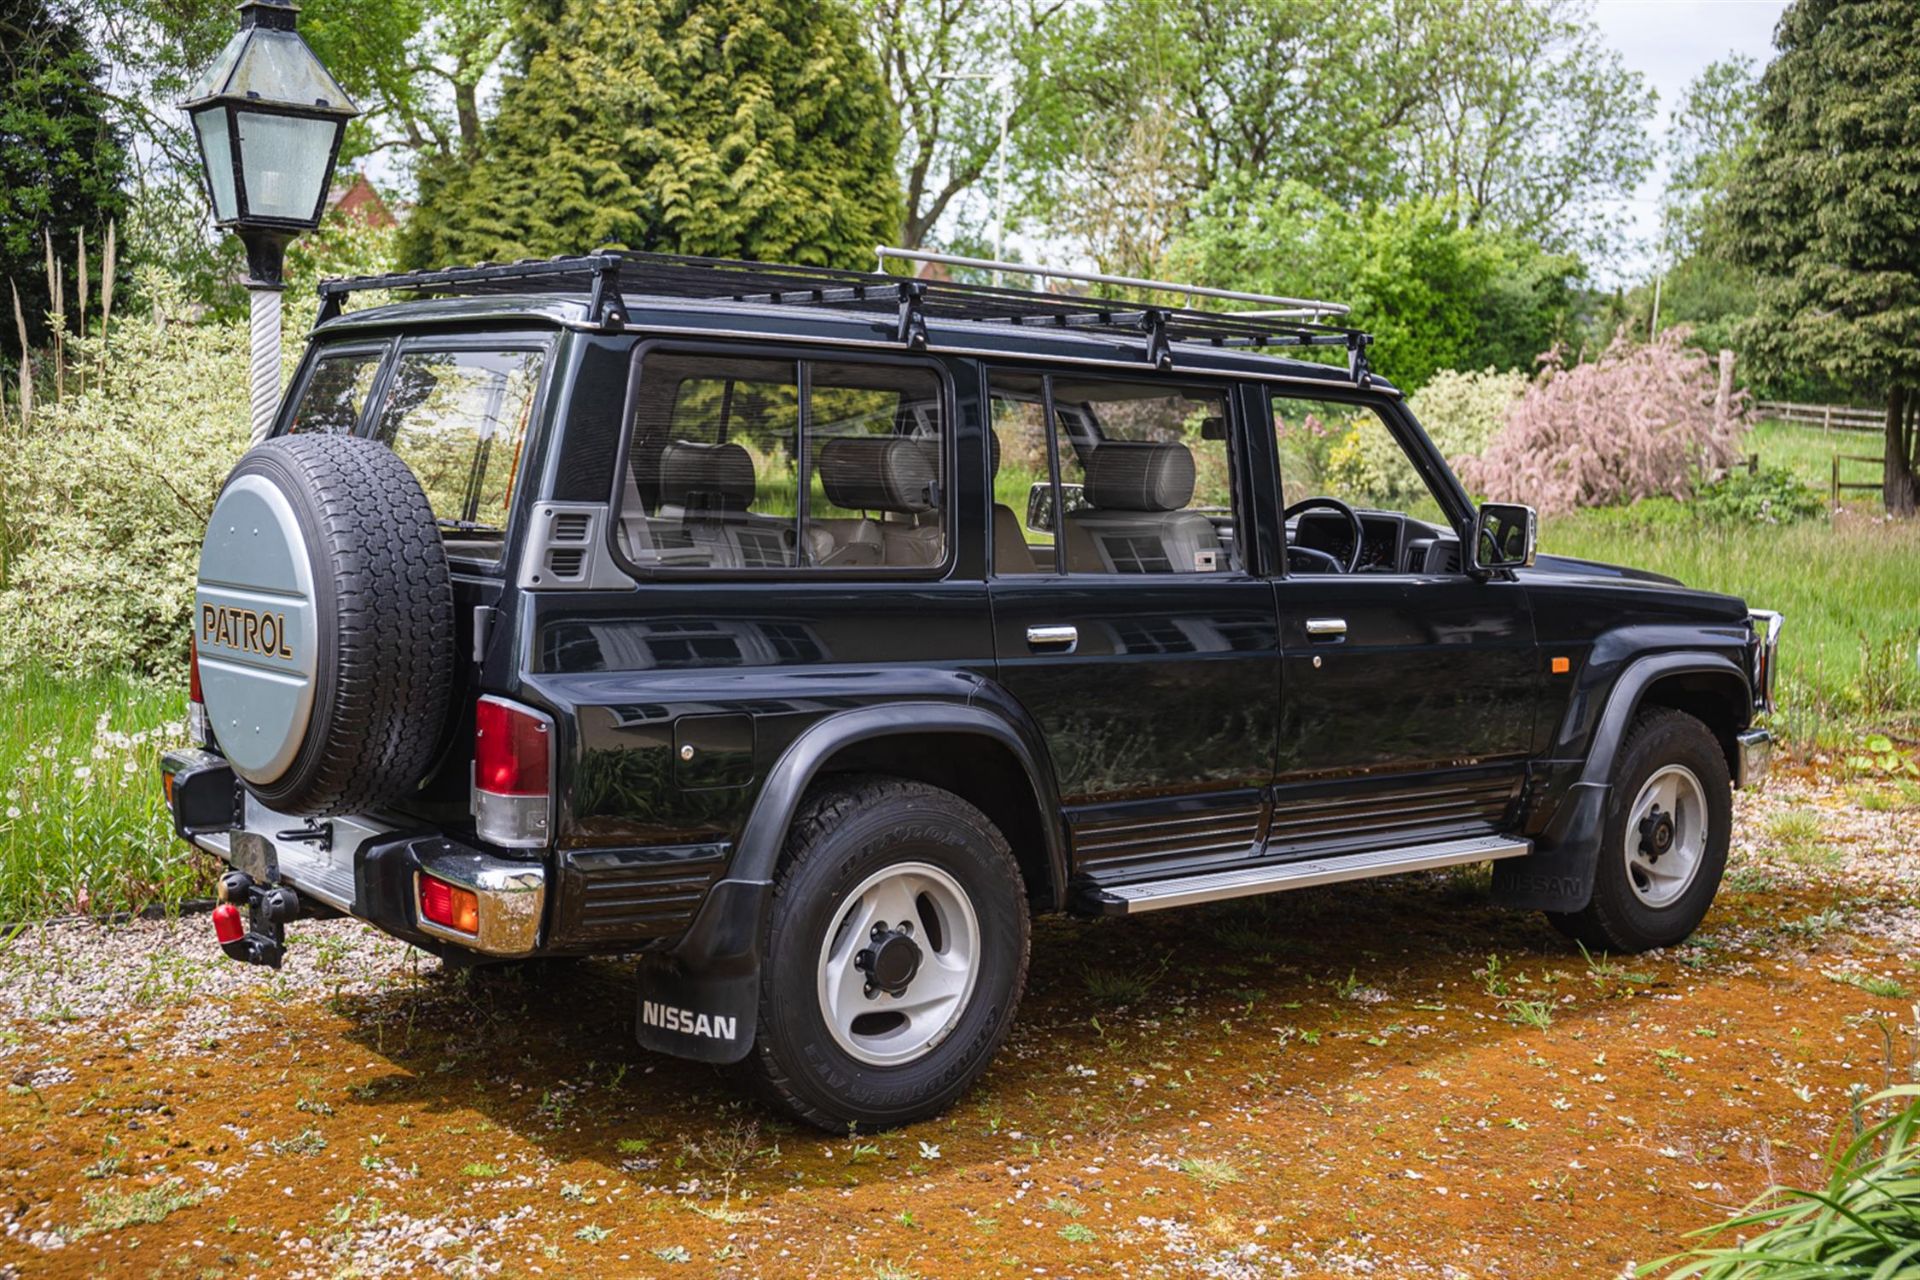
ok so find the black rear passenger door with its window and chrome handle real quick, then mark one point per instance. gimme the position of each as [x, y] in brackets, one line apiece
[1130, 627]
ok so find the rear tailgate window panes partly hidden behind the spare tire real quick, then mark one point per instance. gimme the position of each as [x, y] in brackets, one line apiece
[458, 419]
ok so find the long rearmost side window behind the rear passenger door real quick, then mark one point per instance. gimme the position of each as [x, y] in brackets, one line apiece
[721, 448]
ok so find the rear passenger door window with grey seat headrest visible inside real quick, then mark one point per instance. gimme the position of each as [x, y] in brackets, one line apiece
[1145, 477]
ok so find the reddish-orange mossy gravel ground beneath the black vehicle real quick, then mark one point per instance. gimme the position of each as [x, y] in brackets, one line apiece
[1383, 1079]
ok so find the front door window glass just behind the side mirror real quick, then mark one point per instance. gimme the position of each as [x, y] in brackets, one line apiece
[1347, 452]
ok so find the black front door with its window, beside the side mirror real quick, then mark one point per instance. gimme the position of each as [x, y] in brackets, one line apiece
[1408, 688]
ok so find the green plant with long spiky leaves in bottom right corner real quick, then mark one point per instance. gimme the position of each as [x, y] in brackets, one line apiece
[1863, 1225]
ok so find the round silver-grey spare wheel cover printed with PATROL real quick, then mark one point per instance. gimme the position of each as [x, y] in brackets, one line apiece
[256, 627]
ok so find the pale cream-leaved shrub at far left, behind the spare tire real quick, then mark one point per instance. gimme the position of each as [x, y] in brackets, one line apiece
[110, 496]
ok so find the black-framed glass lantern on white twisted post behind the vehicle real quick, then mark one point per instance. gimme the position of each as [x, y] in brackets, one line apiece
[270, 120]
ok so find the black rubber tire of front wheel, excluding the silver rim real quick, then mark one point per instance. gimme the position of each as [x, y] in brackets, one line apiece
[1618, 920]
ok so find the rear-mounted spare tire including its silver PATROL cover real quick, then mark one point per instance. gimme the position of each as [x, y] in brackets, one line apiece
[325, 627]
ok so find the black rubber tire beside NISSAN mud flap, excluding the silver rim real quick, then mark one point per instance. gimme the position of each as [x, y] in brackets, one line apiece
[842, 836]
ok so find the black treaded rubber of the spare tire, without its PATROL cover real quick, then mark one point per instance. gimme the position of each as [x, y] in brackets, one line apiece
[385, 609]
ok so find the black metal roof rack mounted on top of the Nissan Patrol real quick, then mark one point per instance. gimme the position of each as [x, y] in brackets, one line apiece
[610, 277]
